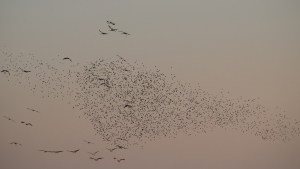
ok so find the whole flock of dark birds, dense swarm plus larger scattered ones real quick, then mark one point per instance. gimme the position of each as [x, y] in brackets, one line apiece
[129, 104]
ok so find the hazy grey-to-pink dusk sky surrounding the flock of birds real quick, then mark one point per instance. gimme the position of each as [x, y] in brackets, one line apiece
[247, 48]
